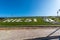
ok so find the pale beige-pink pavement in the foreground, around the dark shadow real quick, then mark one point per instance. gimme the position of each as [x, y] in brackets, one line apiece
[22, 34]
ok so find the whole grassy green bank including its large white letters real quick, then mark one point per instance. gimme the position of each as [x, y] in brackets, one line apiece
[18, 21]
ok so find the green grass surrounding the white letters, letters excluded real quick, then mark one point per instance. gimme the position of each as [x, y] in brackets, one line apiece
[40, 21]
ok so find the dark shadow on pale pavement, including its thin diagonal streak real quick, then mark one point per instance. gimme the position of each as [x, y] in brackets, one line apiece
[49, 37]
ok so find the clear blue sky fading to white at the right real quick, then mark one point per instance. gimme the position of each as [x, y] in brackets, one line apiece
[17, 8]
